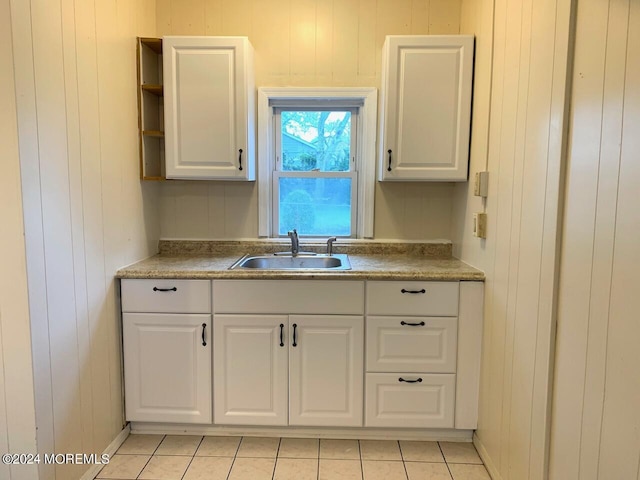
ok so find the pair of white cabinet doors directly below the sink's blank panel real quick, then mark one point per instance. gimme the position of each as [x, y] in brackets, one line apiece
[301, 370]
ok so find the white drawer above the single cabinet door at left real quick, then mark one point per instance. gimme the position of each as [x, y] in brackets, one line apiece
[166, 296]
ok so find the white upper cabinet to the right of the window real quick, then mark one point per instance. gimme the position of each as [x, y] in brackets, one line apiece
[426, 107]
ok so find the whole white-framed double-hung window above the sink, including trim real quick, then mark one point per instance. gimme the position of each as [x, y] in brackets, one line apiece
[316, 157]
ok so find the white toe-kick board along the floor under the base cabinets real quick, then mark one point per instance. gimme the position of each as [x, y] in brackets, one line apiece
[307, 432]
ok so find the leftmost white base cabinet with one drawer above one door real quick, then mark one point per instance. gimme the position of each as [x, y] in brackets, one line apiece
[166, 334]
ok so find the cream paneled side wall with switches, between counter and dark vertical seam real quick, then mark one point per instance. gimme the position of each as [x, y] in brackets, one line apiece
[526, 116]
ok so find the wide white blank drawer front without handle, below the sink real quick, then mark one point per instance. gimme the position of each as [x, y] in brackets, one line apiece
[289, 296]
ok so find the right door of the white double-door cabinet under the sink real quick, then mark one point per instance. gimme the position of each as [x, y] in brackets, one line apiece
[325, 370]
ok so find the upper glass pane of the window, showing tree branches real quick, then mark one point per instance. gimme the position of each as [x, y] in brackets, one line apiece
[318, 141]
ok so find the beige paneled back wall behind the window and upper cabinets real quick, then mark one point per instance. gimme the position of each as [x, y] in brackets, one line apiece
[307, 43]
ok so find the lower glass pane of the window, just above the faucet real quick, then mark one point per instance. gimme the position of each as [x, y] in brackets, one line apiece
[315, 206]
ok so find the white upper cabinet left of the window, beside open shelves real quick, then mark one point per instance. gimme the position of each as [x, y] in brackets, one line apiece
[209, 108]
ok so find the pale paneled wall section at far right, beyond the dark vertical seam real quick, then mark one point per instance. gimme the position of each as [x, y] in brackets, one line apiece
[596, 419]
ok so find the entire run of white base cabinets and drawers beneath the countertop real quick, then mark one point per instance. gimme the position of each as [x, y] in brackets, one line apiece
[314, 353]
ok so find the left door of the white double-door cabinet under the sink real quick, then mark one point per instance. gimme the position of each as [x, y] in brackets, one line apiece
[250, 362]
